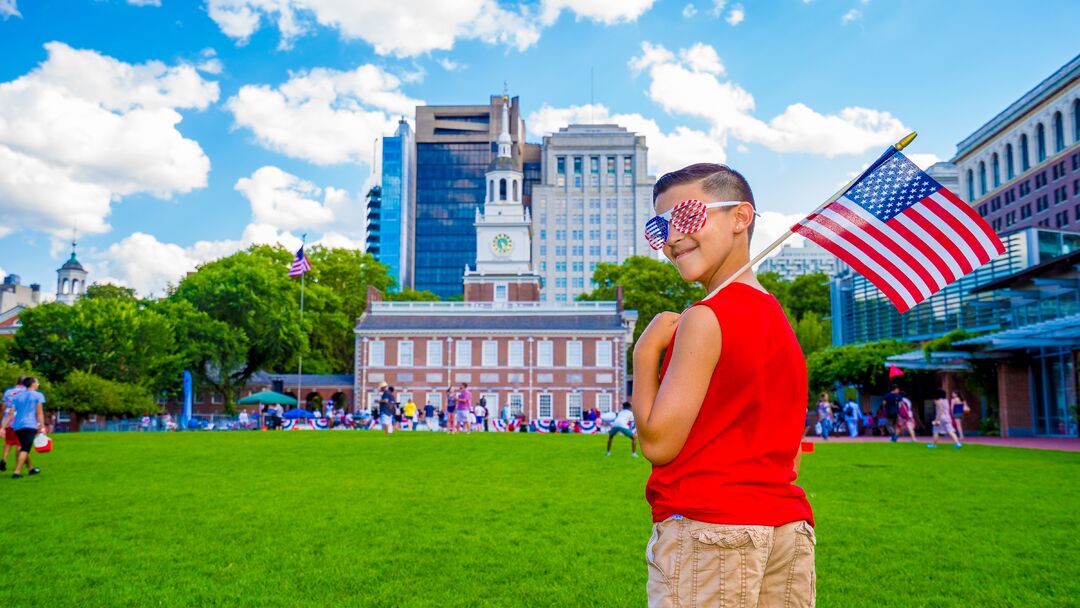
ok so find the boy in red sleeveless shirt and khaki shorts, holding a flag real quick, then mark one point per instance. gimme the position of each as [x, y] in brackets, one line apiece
[723, 421]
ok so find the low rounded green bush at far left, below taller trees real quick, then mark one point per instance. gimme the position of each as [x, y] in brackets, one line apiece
[84, 393]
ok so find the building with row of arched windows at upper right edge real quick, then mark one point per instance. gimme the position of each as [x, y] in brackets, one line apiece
[1022, 169]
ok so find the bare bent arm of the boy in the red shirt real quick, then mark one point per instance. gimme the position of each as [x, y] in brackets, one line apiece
[665, 413]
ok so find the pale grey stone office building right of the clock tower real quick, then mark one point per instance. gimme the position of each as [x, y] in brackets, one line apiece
[591, 207]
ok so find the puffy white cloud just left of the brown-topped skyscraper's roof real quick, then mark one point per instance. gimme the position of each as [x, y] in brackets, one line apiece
[325, 116]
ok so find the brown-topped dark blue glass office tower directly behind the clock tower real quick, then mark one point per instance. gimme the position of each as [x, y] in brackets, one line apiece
[455, 145]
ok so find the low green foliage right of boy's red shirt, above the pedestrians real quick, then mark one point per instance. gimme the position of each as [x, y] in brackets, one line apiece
[853, 364]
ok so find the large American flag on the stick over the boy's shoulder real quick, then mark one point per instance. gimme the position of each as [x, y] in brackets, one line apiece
[902, 231]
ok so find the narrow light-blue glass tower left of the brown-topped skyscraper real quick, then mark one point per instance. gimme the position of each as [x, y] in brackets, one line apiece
[396, 206]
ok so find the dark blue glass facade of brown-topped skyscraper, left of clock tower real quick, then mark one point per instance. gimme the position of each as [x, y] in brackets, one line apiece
[450, 188]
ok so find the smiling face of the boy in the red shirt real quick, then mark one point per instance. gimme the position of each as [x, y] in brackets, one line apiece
[699, 255]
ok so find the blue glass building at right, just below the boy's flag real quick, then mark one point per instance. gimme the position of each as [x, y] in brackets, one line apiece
[862, 314]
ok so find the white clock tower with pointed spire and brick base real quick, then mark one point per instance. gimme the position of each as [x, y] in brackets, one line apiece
[504, 240]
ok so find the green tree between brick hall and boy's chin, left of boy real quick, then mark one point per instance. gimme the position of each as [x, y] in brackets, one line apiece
[650, 287]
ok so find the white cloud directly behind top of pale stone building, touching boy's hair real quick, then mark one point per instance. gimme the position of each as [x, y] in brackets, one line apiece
[668, 151]
